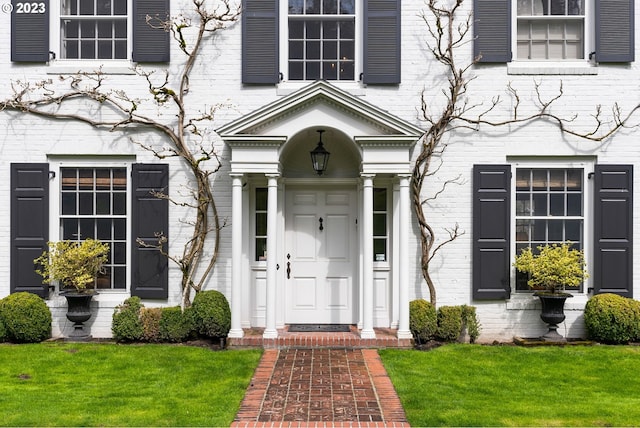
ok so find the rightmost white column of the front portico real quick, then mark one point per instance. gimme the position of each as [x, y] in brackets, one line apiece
[403, 265]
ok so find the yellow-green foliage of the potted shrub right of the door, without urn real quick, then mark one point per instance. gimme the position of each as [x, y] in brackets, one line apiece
[554, 267]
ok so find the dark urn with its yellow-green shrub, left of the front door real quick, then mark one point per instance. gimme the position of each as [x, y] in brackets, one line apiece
[75, 266]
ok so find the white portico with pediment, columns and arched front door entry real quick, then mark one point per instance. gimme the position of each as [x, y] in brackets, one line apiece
[320, 249]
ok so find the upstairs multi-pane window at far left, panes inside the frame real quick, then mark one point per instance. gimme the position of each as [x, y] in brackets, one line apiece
[93, 29]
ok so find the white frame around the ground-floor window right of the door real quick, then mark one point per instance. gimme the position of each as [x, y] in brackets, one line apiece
[588, 167]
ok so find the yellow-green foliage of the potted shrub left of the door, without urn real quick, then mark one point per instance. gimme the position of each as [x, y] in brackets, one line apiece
[72, 264]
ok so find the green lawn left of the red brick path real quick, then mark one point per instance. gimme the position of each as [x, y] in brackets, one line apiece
[64, 384]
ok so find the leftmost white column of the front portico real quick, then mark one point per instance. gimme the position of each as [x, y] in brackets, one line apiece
[236, 251]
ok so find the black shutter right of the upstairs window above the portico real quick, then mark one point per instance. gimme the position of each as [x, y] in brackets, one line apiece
[381, 42]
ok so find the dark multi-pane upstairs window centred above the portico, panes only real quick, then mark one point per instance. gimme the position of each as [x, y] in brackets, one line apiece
[321, 39]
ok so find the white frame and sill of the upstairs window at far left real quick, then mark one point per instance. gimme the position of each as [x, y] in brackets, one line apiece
[62, 65]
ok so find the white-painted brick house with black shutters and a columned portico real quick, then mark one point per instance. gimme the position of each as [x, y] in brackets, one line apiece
[341, 247]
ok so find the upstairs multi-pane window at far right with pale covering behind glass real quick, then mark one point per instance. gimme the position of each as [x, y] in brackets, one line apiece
[550, 29]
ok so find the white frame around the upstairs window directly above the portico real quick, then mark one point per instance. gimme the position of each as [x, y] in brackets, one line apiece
[284, 45]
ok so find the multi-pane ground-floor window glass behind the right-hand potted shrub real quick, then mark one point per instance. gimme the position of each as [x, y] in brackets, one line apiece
[549, 209]
